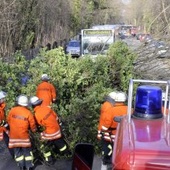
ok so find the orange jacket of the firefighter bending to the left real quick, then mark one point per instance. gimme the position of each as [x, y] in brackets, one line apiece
[48, 119]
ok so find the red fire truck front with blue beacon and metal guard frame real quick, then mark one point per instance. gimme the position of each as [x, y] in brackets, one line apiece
[143, 135]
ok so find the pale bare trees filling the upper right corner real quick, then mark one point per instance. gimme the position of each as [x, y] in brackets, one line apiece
[152, 15]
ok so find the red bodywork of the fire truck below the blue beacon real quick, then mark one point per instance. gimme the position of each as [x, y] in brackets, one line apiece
[142, 145]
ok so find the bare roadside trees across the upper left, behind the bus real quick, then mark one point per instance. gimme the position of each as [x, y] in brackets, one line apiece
[25, 24]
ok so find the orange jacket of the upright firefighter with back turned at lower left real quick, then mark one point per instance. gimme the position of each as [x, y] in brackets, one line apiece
[20, 120]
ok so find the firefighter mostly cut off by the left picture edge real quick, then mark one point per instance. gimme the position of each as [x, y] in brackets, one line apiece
[3, 123]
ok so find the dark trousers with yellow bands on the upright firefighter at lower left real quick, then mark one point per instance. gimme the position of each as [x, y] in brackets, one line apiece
[23, 157]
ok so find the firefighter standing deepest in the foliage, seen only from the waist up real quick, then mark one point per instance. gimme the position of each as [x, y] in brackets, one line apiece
[46, 91]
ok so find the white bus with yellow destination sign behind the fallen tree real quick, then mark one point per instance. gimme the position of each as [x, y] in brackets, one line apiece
[96, 41]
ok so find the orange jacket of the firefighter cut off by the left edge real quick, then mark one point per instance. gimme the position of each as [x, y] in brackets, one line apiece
[2, 118]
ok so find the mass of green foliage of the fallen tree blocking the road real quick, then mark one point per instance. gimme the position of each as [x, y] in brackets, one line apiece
[81, 85]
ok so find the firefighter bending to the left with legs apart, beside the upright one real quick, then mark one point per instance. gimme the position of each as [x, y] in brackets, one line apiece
[51, 134]
